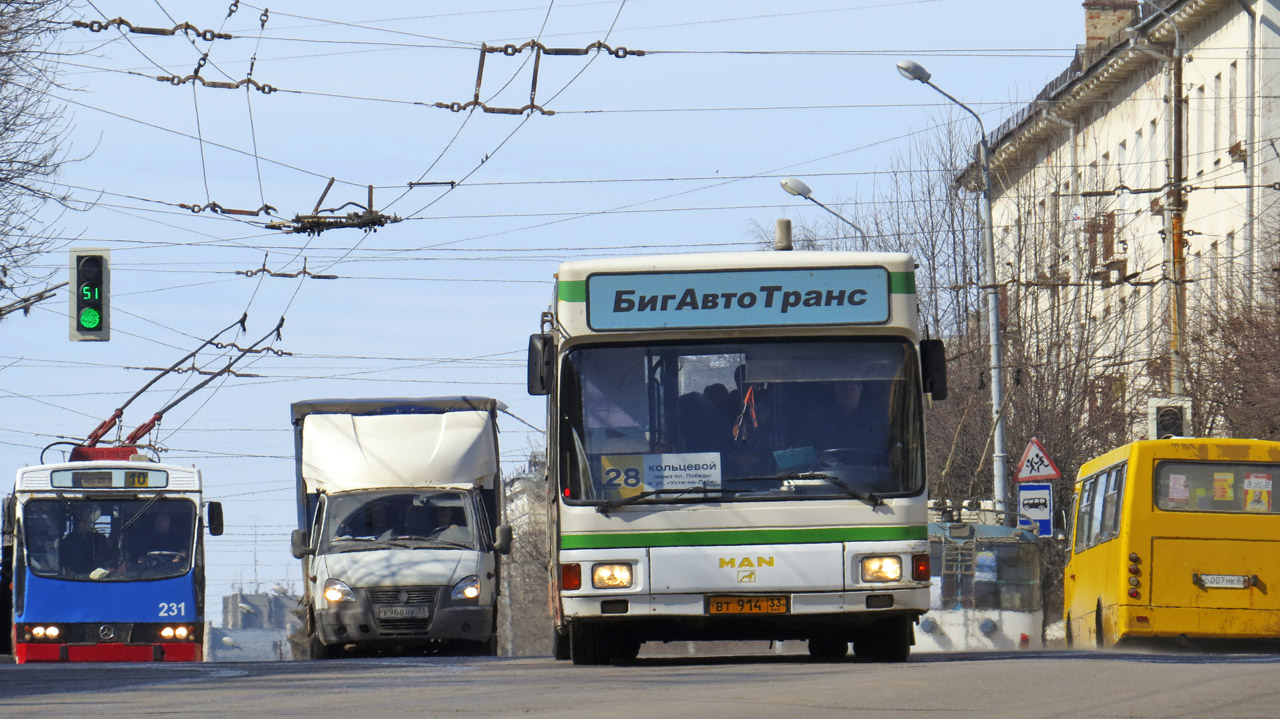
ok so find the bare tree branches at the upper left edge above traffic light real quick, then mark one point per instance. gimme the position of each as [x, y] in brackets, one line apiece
[31, 134]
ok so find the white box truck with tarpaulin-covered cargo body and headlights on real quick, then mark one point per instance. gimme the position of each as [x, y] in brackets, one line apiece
[400, 524]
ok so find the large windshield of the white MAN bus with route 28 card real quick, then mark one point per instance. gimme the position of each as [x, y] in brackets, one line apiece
[753, 420]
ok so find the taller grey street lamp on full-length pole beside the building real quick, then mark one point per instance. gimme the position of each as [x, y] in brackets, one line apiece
[913, 71]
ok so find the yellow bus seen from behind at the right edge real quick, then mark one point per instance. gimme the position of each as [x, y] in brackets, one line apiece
[1176, 539]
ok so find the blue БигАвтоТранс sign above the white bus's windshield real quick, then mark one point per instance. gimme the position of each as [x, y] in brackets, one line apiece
[738, 299]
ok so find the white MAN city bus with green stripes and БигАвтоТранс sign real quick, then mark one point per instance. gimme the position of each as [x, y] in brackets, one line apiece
[735, 452]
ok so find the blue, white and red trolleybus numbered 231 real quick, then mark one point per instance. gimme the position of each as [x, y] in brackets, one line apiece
[106, 561]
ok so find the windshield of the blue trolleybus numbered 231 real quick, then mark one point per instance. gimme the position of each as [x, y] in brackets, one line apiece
[109, 541]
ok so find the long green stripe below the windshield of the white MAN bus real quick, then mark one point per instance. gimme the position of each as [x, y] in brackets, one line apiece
[716, 538]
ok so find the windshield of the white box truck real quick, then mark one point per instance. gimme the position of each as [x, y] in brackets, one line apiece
[408, 519]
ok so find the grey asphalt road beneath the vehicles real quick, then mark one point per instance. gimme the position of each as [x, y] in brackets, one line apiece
[1030, 685]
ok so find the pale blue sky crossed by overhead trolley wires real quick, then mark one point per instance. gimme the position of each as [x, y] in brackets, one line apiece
[674, 150]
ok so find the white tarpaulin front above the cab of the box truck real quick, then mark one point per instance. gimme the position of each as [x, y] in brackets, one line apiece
[345, 452]
